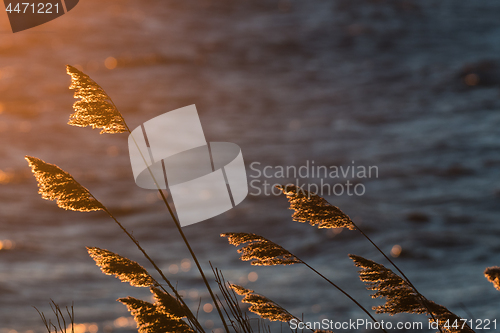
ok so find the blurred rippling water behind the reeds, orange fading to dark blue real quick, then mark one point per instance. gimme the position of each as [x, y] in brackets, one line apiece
[409, 86]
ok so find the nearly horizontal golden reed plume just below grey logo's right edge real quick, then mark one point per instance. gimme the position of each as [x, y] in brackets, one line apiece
[265, 252]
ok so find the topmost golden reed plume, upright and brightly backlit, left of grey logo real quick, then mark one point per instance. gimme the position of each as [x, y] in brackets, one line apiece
[95, 108]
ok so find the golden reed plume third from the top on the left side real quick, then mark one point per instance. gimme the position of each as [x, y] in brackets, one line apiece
[125, 269]
